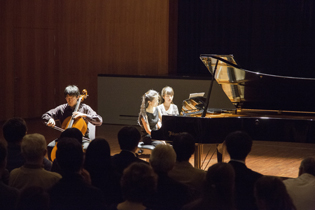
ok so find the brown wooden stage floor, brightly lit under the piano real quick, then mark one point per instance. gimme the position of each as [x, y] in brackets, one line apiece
[268, 158]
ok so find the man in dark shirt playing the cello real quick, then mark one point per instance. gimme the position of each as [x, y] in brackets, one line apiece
[64, 112]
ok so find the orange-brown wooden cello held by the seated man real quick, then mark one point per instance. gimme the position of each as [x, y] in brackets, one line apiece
[71, 122]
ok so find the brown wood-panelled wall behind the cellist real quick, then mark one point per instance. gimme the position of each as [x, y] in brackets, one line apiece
[47, 45]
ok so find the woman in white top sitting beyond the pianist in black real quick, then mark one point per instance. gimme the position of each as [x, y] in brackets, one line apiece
[168, 107]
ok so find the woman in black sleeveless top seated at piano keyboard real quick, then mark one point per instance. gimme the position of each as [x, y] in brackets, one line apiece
[150, 117]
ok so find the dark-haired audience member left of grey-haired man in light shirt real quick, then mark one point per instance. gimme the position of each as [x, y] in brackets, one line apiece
[14, 130]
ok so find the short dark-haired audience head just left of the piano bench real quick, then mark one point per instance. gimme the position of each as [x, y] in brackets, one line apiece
[128, 138]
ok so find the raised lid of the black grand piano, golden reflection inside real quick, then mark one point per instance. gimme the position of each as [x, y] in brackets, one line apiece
[261, 92]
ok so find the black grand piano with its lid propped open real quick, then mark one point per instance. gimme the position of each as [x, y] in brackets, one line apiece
[267, 107]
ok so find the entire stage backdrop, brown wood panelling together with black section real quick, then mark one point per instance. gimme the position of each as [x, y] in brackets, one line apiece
[47, 45]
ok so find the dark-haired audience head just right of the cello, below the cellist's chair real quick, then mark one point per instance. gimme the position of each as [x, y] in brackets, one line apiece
[97, 155]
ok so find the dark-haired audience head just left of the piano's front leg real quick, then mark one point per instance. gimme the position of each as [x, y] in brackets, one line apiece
[184, 146]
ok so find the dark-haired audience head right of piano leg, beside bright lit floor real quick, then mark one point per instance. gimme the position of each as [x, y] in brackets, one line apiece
[238, 145]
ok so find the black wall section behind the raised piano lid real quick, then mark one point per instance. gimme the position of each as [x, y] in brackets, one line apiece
[276, 37]
